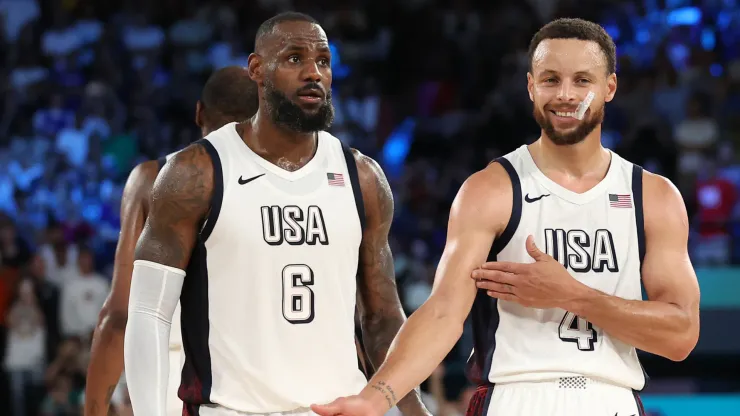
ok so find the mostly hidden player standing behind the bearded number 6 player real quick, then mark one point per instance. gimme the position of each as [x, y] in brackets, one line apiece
[228, 95]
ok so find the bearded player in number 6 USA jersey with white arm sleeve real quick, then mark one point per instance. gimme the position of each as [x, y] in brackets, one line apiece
[261, 230]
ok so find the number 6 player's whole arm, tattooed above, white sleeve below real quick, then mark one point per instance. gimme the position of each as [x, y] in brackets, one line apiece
[180, 200]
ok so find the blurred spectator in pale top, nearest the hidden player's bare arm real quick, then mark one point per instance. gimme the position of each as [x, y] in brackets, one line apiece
[83, 294]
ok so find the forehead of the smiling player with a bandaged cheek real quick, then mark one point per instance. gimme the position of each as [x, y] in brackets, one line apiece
[567, 55]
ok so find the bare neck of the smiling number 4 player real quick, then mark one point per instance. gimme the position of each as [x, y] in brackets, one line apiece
[581, 160]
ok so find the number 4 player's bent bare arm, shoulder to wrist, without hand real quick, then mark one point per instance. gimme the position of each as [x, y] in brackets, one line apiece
[667, 324]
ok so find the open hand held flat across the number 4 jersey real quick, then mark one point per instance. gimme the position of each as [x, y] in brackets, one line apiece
[543, 284]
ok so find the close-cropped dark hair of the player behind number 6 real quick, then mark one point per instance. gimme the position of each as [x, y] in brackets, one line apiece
[230, 94]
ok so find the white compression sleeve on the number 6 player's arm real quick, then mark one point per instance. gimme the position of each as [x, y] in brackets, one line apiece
[155, 291]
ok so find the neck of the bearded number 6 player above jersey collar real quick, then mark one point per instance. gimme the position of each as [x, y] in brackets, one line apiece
[277, 144]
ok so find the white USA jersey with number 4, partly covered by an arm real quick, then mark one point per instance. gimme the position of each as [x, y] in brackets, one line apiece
[598, 237]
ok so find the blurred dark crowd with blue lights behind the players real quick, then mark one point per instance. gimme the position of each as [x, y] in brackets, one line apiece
[432, 89]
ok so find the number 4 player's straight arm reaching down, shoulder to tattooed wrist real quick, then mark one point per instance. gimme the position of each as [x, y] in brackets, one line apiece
[479, 213]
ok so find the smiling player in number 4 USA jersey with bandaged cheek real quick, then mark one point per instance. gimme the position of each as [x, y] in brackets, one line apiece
[555, 330]
